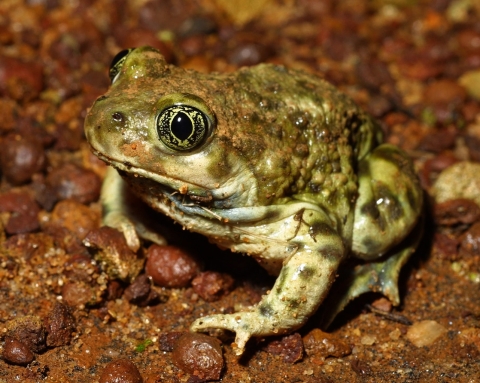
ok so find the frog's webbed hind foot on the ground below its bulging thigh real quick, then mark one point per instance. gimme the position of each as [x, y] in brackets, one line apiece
[381, 277]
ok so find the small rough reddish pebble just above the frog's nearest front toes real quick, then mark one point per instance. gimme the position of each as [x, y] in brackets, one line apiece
[211, 285]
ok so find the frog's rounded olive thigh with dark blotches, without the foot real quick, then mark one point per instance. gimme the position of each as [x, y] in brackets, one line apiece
[389, 201]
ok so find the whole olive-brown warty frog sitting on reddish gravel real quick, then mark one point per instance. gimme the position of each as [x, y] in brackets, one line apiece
[268, 161]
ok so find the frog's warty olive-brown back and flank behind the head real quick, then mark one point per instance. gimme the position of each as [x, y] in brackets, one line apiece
[311, 131]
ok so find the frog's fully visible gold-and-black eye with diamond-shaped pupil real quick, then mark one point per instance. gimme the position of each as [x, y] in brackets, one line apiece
[182, 127]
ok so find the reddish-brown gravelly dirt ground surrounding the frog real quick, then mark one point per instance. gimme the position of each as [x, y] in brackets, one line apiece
[414, 65]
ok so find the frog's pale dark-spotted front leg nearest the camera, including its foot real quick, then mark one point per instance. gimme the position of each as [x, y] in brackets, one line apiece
[303, 283]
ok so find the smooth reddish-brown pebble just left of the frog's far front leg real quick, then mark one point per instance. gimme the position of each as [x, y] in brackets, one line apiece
[76, 183]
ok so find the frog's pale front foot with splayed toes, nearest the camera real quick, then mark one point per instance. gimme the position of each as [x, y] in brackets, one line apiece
[244, 324]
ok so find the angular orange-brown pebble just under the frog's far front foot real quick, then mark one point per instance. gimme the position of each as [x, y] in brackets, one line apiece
[111, 251]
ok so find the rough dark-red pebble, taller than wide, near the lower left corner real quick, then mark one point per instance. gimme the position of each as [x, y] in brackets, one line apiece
[59, 325]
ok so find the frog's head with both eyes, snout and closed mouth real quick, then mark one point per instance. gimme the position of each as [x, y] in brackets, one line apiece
[156, 128]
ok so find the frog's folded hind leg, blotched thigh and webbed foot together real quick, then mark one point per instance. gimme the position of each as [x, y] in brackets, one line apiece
[387, 228]
